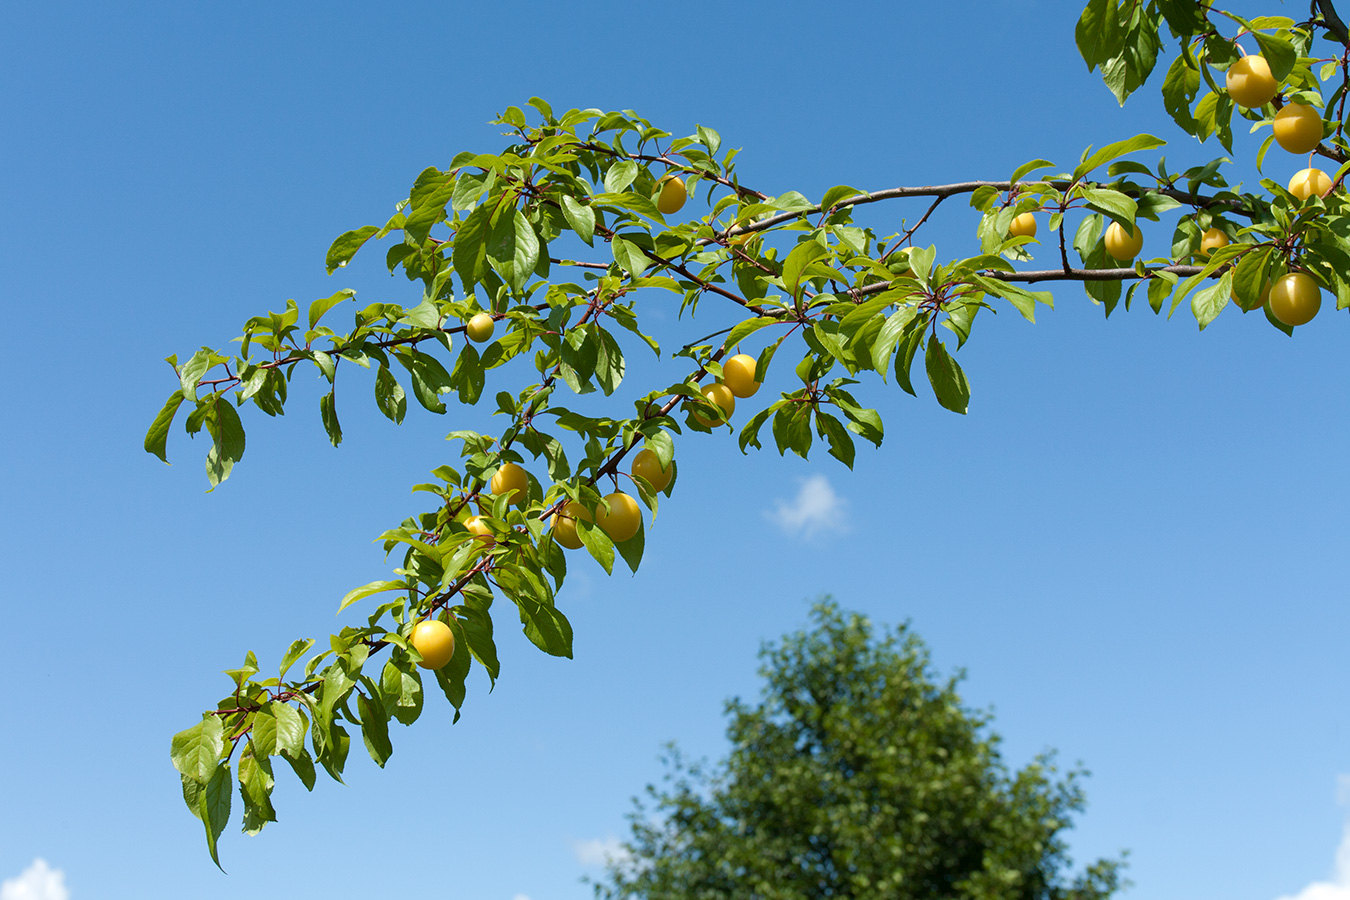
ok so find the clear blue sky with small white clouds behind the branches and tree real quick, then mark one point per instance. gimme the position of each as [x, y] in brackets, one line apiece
[1133, 544]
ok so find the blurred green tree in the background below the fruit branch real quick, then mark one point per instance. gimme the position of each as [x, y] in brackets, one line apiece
[858, 775]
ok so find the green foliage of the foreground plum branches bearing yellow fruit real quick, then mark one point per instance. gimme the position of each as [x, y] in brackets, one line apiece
[504, 234]
